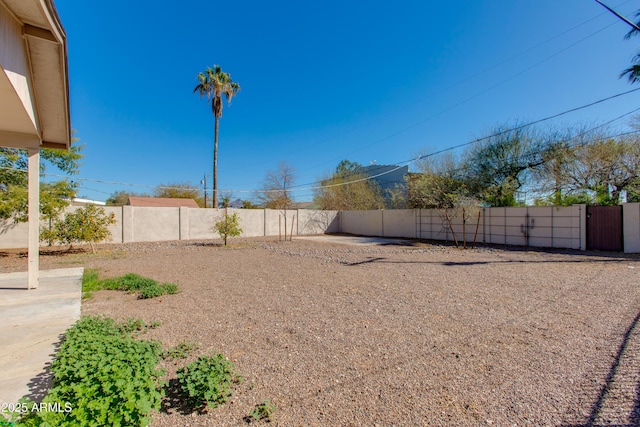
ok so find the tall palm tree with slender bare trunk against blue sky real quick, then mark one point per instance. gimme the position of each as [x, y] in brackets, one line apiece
[214, 84]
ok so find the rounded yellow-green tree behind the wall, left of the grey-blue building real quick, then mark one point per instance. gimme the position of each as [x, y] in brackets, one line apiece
[349, 189]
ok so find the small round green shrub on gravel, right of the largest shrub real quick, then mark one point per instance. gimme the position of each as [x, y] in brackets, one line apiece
[207, 381]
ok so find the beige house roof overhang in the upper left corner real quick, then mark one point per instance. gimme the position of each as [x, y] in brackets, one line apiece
[46, 121]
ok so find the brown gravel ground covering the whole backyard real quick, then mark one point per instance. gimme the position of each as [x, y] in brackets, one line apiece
[390, 335]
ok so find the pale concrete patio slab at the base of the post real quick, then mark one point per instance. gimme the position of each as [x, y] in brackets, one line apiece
[32, 324]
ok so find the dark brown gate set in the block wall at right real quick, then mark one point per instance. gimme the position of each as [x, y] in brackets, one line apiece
[604, 228]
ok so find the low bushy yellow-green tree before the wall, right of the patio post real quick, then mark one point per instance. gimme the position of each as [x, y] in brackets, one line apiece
[89, 224]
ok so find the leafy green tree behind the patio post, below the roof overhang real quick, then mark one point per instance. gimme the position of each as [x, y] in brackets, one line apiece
[54, 195]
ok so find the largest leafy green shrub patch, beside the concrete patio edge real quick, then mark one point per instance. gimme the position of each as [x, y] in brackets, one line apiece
[104, 376]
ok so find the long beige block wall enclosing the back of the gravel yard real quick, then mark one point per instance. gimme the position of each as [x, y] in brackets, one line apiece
[545, 227]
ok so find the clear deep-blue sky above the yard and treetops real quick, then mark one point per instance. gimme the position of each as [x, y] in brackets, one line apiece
[324, 81]
